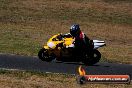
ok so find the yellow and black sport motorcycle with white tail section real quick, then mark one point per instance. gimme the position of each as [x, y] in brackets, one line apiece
[61, 48]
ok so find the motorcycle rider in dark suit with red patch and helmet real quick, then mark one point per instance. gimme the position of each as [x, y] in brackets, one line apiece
[81, 40]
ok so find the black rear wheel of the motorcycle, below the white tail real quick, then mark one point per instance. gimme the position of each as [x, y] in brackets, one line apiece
[92, 59]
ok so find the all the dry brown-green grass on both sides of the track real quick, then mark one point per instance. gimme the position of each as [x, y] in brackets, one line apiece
[25, 25]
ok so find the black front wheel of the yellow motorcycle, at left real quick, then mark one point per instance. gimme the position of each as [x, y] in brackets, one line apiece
[44, 56]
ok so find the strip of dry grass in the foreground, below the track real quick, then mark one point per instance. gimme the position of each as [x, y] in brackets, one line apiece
[27, 79]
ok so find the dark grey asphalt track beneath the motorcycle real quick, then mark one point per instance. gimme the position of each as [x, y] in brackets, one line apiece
[34, 64]
